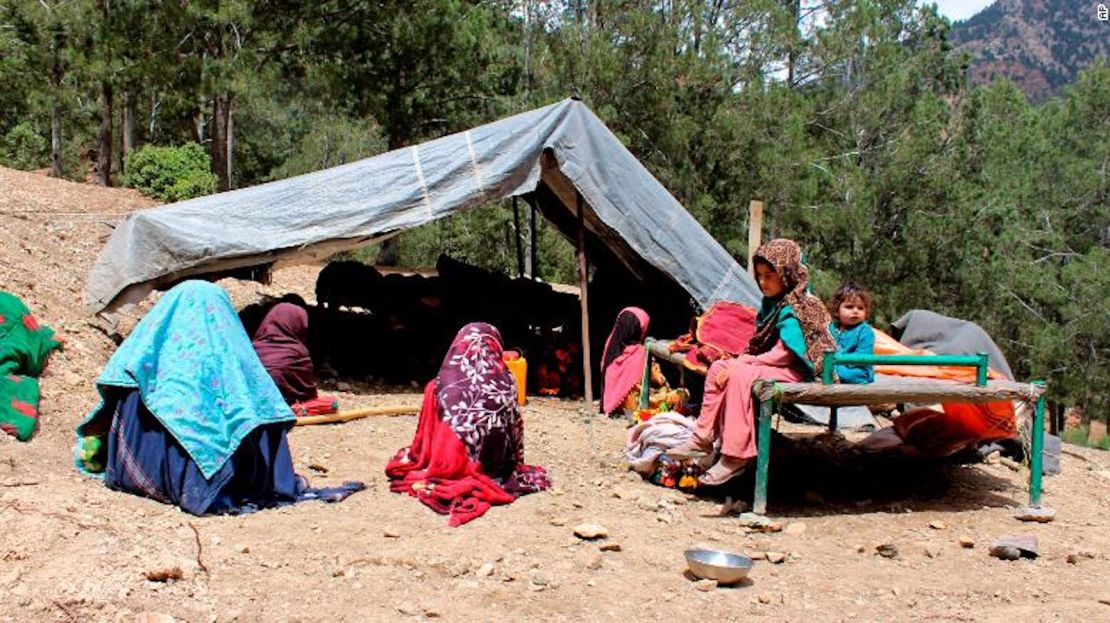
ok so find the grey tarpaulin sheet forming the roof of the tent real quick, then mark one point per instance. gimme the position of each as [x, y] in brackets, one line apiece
[562, 150]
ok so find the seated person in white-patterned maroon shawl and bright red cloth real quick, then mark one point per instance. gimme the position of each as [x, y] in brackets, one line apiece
[468, 454]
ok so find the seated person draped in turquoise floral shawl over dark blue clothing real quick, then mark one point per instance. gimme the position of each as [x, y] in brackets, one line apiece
[190, 417]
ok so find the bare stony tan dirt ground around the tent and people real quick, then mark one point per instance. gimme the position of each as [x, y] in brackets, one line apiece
[72, 550]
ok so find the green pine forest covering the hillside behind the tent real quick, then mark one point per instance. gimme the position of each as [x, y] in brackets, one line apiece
[851, 119]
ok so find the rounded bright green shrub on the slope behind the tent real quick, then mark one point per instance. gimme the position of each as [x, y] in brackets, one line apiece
[171, 174]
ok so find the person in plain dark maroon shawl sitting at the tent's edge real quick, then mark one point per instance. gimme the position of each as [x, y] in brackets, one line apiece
[280, 343]
